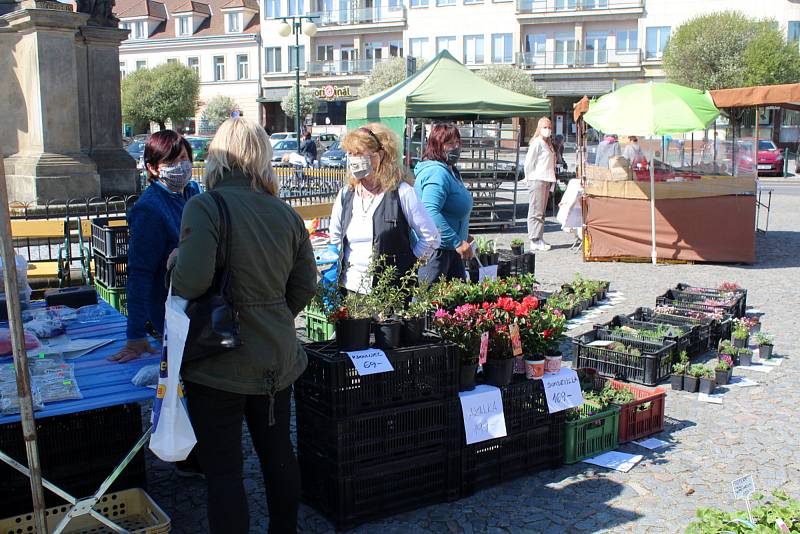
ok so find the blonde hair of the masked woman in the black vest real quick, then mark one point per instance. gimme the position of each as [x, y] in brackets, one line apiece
[389, 172]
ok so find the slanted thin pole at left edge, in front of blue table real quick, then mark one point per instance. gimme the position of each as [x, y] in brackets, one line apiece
[20, 357]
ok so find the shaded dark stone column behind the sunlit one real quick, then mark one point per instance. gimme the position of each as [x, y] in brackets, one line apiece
[99, 91]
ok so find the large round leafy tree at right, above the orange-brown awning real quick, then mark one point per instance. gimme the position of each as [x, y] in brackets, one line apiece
[728, 49]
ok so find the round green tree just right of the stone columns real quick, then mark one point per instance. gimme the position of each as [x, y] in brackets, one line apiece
[166, 92]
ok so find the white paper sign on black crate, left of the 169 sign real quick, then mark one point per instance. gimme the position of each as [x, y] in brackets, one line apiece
[483, 414]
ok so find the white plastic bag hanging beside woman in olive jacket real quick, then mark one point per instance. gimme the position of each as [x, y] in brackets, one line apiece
[173, 436]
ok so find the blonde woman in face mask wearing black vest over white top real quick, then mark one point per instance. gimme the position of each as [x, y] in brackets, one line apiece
[378, 210]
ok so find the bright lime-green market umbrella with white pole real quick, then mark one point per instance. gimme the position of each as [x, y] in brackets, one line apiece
[644, 109]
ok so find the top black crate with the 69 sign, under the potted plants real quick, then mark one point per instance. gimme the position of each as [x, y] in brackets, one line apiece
[331, 385]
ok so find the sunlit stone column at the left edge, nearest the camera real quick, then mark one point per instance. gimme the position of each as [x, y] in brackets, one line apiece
[42, 137]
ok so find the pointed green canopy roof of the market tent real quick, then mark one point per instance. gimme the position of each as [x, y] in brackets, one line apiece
[446, 88]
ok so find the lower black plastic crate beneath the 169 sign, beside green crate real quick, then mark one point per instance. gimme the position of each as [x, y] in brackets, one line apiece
[496, 461]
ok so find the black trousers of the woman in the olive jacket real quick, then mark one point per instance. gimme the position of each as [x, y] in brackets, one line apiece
[217, 420]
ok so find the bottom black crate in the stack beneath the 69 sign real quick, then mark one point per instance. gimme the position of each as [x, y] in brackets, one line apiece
[380, 491]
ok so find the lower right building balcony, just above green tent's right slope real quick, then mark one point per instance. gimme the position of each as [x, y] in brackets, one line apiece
[581, 61]
